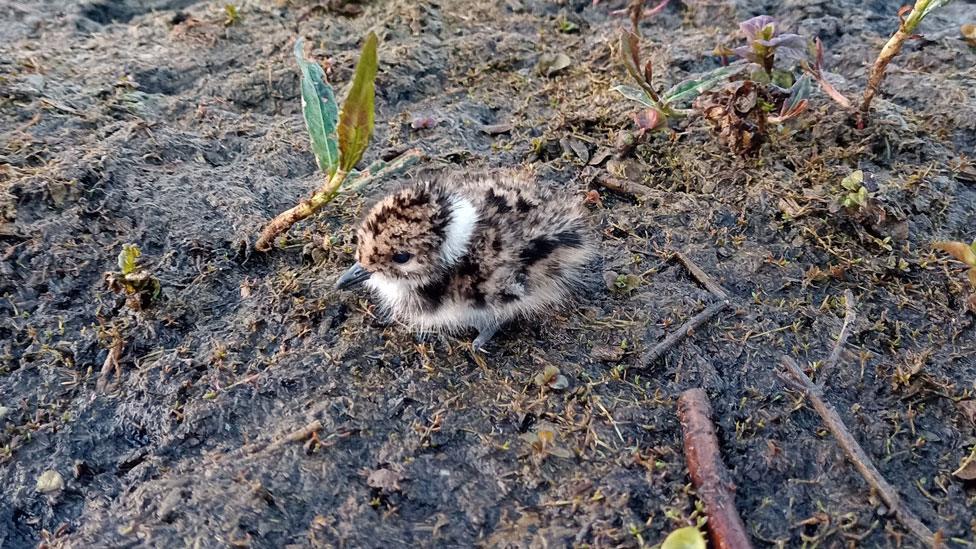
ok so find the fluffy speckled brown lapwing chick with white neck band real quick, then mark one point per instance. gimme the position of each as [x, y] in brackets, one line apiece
[469, 252]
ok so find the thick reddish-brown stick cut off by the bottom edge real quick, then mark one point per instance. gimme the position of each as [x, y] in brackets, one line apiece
[708, 472]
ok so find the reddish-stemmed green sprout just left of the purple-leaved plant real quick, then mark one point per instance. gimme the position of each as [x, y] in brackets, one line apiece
[660, 106]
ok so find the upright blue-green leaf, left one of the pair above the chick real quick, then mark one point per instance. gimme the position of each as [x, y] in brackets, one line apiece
[320, 110]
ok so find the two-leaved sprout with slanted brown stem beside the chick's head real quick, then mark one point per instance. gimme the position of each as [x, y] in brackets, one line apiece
[339, 139]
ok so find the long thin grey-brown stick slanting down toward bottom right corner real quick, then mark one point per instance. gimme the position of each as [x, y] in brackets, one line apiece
[856, 454]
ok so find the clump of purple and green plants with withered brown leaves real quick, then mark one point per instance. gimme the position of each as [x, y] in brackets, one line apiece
[741, 110]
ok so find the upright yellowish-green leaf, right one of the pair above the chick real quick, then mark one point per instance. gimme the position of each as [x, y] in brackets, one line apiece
[356, 120]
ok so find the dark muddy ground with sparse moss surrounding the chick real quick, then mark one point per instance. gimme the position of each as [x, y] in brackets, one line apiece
[151, 122]
